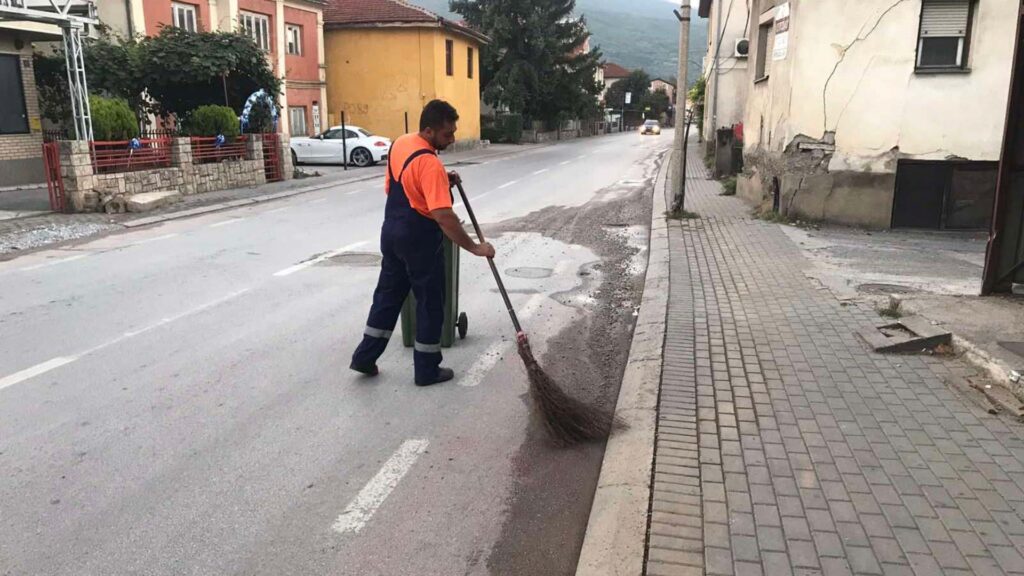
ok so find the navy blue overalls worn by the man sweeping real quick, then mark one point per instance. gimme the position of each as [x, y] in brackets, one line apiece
[411, 244]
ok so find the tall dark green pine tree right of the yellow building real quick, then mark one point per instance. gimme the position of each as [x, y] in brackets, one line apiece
[535, 64]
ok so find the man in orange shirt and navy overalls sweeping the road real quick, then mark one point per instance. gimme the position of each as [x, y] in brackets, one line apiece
[417, 214]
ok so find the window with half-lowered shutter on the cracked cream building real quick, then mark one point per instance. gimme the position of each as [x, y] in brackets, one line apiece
[946, 31]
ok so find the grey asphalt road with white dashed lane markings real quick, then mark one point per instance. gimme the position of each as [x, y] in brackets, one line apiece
[177, 400]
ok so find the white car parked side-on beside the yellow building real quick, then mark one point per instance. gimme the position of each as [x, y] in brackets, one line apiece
[329, 148]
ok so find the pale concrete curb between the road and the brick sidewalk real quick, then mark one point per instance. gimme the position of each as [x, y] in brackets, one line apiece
[617, 533]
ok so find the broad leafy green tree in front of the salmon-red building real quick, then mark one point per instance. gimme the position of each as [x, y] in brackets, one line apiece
[185, 70]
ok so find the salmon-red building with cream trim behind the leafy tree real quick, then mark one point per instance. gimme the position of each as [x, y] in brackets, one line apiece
[291, 32]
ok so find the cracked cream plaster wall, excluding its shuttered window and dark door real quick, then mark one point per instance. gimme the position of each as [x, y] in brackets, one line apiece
[850, 76]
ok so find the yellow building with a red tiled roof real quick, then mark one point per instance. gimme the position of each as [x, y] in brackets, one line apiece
[388, 59]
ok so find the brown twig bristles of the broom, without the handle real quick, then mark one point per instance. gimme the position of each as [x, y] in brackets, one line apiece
[568, 421]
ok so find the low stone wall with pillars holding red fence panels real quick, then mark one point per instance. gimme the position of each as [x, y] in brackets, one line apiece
[89, 192]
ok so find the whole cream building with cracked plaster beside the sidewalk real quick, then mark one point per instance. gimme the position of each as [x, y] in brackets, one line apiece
[875, 113]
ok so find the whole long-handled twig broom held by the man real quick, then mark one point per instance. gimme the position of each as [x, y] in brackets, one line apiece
[567, 420]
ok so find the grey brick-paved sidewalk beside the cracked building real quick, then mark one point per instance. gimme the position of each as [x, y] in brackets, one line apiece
[786, 447]
